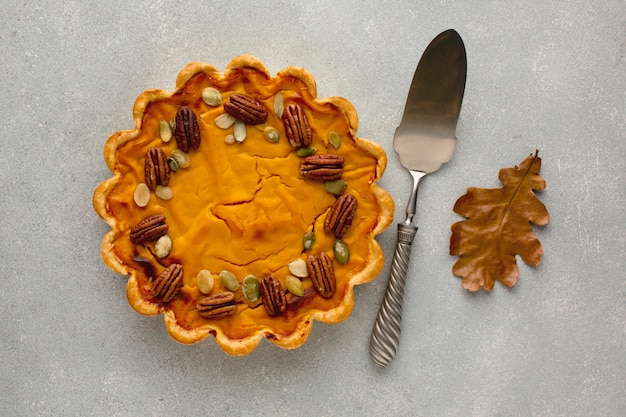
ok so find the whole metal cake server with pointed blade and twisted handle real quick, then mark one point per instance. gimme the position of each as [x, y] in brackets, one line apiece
[424, 140]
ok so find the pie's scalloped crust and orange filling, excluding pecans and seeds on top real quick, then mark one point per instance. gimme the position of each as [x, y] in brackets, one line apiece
[242, 207]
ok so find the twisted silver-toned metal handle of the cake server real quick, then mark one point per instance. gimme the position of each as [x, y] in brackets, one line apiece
[386, 333]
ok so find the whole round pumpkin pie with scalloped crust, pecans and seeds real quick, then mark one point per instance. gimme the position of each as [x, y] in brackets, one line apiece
[242, 206]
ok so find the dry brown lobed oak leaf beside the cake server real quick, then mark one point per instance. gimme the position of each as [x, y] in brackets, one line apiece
[498, 227]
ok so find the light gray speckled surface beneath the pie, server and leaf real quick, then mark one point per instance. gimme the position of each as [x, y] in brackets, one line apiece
[543, 74]
